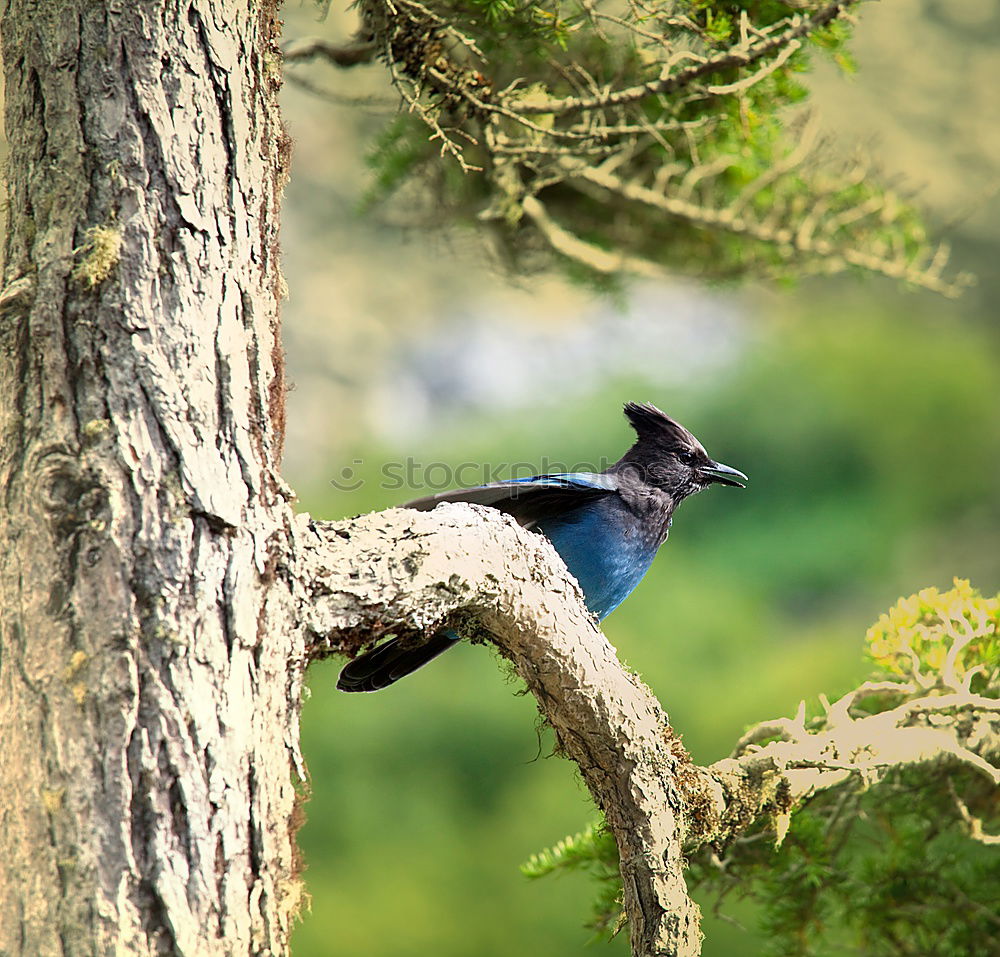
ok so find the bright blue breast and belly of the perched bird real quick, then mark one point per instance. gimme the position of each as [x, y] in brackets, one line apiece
[605, 548]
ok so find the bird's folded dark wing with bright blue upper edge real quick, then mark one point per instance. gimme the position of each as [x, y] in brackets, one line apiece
[529, 499]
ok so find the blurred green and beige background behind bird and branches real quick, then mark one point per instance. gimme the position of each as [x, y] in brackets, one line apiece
[865, 415]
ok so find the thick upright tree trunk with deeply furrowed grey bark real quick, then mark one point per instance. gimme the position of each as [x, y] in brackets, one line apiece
[148, 675]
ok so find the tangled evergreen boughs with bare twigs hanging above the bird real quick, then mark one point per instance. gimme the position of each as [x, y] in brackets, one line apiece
[673, 113]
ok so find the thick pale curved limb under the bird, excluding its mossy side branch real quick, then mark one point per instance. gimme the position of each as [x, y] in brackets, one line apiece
[412, 571]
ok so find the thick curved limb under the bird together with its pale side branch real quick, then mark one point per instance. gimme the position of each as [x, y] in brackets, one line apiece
[404, 571]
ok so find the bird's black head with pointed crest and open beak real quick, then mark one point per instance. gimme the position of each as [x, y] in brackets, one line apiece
[669, 457]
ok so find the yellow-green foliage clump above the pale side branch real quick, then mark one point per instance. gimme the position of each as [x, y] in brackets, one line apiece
[956, 631]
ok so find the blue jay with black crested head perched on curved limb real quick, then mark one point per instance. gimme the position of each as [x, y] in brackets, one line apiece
[606, 526]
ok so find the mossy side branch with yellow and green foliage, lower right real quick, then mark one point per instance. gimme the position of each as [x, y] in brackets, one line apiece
[892, 786]
